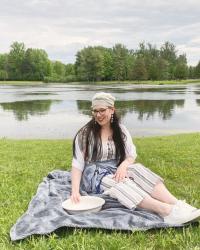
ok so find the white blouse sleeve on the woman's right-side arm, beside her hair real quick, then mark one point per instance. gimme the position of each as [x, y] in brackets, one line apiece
[129, 146]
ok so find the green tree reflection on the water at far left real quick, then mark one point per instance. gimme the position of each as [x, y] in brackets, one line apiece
[23, 109]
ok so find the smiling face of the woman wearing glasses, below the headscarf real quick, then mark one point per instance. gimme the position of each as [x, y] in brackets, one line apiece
[102, 115]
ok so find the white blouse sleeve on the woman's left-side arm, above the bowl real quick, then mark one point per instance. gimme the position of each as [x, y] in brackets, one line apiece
[78, 161]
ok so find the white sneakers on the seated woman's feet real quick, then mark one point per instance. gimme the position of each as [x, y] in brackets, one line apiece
[181, 215]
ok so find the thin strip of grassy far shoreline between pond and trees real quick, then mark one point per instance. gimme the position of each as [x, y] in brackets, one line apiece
[148, 82]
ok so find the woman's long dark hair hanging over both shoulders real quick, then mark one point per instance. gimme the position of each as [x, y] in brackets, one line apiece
[92, 129]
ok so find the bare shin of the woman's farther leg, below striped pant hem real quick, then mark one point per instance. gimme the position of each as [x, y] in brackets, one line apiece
[161, 193]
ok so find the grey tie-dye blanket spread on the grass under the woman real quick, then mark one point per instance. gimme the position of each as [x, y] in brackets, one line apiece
[45, 213]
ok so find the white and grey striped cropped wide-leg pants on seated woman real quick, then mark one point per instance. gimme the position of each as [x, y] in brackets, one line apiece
[130, 192]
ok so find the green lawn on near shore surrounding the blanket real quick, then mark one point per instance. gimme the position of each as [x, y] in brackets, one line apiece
[23, 164]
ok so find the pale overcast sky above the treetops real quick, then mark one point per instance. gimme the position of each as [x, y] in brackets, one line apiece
[62, 27]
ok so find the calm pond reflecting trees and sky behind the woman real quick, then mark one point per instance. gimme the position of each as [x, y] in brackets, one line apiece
[59, 110]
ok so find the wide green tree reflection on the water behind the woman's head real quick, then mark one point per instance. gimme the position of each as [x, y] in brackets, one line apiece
[145, 109]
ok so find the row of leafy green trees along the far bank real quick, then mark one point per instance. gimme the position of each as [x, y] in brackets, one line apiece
[97, 63]
